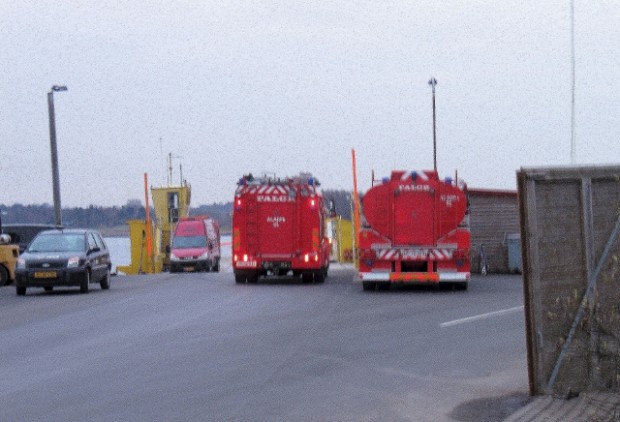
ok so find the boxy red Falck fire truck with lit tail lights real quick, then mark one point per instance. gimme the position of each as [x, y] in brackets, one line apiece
[278, 228]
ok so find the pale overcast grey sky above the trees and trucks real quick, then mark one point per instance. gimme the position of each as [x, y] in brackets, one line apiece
[231, 87]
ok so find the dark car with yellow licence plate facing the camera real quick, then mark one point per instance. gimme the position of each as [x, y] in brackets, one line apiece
[67, 257]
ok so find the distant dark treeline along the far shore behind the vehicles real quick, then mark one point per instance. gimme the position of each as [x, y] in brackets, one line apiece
[338, 201]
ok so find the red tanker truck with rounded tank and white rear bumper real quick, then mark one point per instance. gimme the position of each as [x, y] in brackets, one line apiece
[417, 231]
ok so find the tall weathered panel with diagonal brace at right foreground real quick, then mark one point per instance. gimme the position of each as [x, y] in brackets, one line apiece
[570, 222]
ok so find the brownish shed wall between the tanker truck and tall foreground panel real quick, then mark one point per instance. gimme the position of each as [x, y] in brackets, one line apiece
[493, 216]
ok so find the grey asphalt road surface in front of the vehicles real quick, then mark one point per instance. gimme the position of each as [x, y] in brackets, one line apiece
[181, 347]
